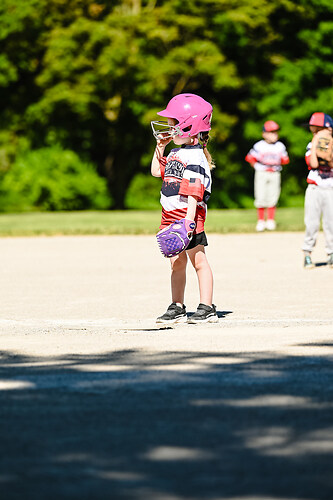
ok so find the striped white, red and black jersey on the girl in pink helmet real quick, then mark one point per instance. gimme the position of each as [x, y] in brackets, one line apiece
[185, 172]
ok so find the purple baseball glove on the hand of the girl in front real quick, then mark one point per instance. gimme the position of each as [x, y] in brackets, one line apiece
[175, 238]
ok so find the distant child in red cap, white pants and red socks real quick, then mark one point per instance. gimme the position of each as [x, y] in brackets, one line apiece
[267, 157]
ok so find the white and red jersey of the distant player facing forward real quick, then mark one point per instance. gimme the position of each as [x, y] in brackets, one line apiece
[268, 157]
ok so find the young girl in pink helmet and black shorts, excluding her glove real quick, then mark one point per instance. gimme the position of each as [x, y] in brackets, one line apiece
[186, 187]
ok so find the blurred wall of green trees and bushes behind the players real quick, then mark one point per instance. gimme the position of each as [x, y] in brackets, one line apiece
[81, 80]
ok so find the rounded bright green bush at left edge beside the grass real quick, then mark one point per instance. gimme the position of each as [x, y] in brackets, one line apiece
[52, 179]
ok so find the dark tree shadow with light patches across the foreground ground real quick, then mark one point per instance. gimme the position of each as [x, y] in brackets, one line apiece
[169, 425]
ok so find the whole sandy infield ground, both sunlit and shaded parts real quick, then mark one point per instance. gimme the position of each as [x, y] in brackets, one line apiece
[97, 401]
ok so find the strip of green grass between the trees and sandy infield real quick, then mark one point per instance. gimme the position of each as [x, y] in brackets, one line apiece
[135, 222]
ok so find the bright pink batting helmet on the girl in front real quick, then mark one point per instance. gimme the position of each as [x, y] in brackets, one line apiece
[193, 113]
